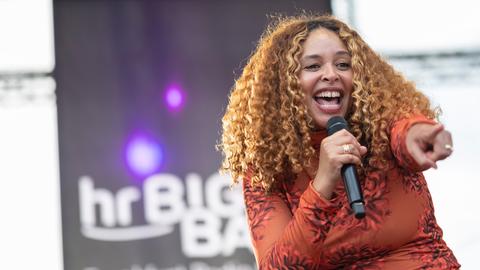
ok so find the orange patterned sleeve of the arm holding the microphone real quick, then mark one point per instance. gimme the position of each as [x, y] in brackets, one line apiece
[282, 238]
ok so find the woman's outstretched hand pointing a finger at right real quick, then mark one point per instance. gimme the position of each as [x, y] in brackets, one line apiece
[428, 144]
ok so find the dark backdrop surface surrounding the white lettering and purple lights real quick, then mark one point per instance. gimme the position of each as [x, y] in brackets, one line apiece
[113, 61]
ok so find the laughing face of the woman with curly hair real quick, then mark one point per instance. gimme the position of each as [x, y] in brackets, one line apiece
[326, 76]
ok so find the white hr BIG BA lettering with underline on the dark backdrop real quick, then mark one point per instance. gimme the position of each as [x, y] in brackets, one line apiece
[210, 215]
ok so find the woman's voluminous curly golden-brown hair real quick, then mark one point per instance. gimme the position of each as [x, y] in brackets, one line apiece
[266, 127]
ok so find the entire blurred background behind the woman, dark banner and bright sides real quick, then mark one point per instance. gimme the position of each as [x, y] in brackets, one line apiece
[110, 112]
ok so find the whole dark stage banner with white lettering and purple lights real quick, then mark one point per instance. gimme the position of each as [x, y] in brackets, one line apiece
[141, 88]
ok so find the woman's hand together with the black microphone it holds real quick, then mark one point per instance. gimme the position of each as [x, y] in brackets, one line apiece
[339, 153]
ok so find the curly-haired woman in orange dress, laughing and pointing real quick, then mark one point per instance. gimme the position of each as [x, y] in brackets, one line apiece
[304, 71]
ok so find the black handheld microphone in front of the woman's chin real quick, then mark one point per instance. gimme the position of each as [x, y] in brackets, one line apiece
[349, 173]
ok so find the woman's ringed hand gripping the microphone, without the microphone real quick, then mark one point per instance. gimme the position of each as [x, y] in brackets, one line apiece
[336, 150]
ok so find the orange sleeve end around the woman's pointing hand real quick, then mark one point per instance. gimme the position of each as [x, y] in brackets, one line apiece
[398, 141]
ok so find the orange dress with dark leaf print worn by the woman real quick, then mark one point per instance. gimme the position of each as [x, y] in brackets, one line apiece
[296, 228]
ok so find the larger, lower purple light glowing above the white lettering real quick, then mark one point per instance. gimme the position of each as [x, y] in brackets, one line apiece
[144, 156]
